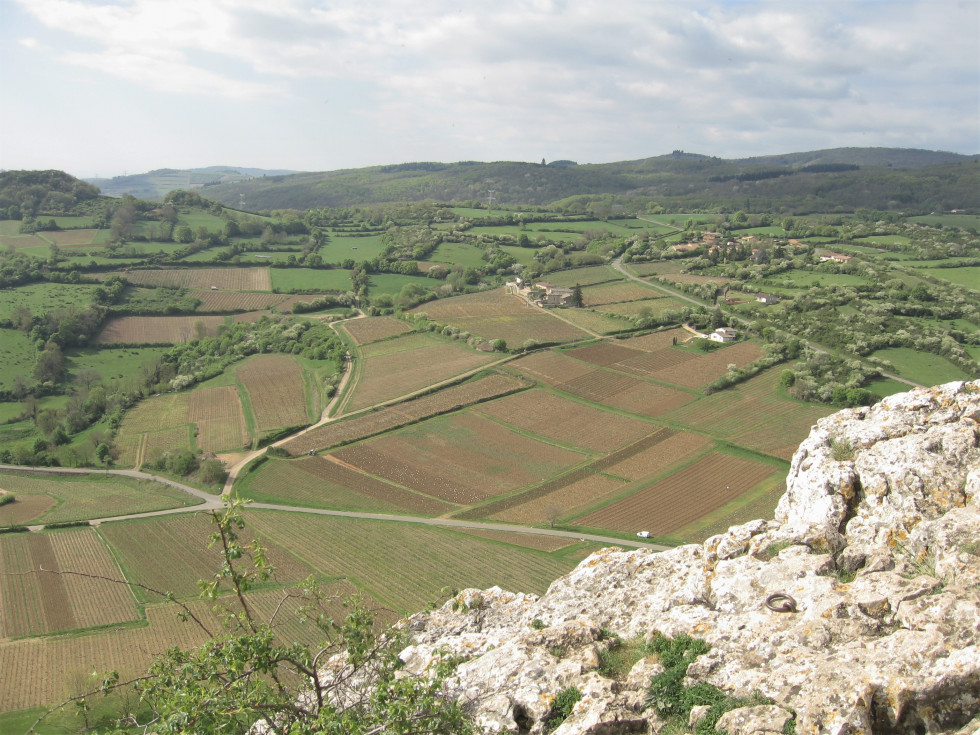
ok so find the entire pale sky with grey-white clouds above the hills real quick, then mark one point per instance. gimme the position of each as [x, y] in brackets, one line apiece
[112, 86]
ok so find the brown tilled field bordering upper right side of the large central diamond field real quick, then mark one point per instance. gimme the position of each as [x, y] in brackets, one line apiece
[566, 421]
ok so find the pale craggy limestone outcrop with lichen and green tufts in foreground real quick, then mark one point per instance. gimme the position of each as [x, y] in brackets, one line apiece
[874, 559]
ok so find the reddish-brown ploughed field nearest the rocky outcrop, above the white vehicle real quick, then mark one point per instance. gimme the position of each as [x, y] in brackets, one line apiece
[682, 497]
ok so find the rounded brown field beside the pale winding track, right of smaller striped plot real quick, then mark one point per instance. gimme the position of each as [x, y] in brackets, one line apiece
[276, 389]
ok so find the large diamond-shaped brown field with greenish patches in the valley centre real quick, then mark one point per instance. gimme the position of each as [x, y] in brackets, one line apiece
[486, 458]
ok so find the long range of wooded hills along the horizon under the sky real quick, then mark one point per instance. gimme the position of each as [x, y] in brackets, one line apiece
[832, 180]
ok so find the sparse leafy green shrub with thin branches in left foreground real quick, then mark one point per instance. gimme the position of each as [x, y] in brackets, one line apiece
[246, 676]
